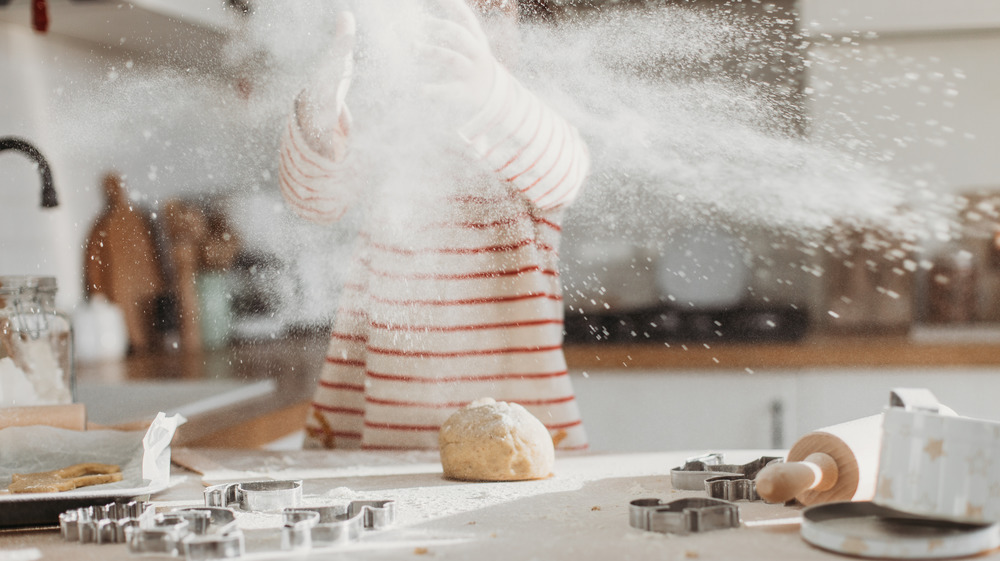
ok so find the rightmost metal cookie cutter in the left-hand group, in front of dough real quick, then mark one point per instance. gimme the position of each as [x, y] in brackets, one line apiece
[307, 528]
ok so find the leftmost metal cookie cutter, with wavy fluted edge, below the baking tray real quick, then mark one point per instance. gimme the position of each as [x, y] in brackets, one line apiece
[103, 524]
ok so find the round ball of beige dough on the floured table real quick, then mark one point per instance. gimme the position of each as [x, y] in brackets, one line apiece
[495, 441]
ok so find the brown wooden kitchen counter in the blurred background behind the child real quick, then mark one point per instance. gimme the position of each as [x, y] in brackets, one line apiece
[293, 365]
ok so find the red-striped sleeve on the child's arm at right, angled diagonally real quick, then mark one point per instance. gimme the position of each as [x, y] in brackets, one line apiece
[528, 144]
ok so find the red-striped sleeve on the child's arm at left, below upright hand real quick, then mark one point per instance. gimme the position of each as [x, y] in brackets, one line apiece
[314, 186]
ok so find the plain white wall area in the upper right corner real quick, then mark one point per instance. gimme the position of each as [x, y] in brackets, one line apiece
[919, 79]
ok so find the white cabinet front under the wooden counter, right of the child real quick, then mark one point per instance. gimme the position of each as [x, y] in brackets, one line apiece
[708, 410]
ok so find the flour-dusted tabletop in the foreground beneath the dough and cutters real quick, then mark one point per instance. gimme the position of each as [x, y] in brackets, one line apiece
[579, 513]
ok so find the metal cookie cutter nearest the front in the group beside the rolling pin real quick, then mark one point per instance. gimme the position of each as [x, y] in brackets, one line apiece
[683, 516]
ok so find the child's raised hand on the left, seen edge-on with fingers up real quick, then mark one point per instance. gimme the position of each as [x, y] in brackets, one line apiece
[321, 109]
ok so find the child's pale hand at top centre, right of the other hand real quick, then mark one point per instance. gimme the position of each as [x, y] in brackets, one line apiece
[456, 63]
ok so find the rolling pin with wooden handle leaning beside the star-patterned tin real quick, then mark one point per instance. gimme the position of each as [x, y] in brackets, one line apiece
[837, 463]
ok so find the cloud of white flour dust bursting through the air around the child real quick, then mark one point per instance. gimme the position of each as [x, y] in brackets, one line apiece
[694, 114]
